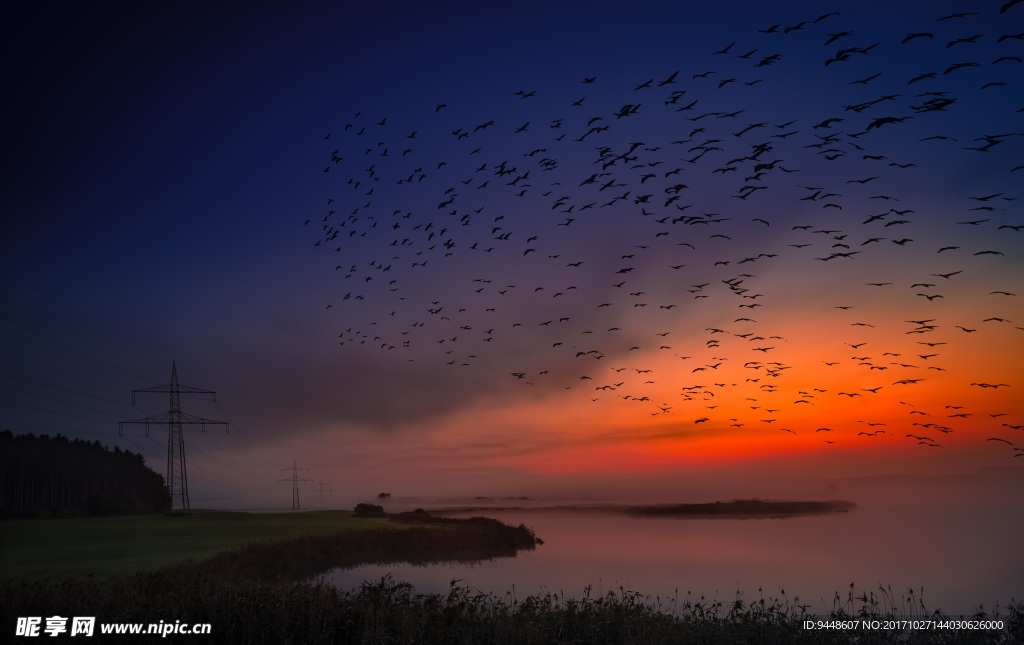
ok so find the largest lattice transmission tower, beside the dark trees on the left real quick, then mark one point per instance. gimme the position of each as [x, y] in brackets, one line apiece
[178, 481]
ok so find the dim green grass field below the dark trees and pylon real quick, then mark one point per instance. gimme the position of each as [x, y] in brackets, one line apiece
[103, 547]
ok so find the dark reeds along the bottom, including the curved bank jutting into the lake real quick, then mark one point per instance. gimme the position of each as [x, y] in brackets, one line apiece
[250, 596]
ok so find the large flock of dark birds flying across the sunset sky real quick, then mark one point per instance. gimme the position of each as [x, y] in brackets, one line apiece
[576, 243]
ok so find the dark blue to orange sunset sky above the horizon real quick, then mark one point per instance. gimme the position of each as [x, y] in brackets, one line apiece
[589, 250]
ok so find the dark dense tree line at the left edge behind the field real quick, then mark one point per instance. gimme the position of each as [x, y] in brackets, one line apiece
[56, 477]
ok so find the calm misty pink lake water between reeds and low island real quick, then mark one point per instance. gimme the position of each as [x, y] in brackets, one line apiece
[956, 538]
